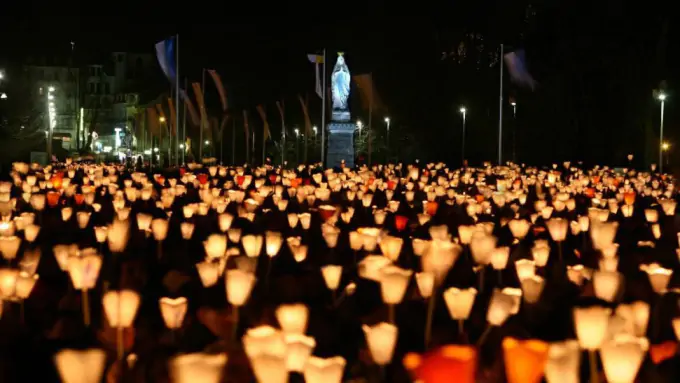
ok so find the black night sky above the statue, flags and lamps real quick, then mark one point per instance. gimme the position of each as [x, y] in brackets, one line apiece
[596, 63]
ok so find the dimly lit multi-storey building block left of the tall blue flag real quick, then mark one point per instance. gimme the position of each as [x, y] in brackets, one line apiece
[95, 101]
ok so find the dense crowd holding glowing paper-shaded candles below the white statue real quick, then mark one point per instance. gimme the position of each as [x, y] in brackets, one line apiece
[387, 273]
